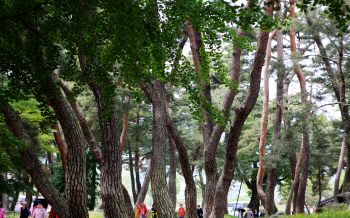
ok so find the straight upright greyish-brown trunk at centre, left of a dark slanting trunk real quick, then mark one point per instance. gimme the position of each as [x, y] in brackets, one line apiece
[160, 192]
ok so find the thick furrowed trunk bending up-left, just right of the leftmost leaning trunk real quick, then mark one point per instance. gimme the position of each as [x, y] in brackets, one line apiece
[76, 149]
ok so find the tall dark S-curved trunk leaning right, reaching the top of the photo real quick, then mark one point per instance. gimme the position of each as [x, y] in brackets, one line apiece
[241, 114]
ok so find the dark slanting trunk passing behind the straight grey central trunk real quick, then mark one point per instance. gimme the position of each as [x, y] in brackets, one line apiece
[190, 192]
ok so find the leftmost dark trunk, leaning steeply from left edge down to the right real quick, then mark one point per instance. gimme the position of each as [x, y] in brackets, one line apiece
[32, 163]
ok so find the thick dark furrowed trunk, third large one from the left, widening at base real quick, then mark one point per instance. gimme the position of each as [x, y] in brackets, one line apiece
[111, 182]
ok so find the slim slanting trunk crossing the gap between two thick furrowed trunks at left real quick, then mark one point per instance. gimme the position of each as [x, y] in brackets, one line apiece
[82, 121]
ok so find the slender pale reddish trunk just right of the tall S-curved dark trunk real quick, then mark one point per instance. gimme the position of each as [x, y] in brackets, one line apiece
[267, 202]
